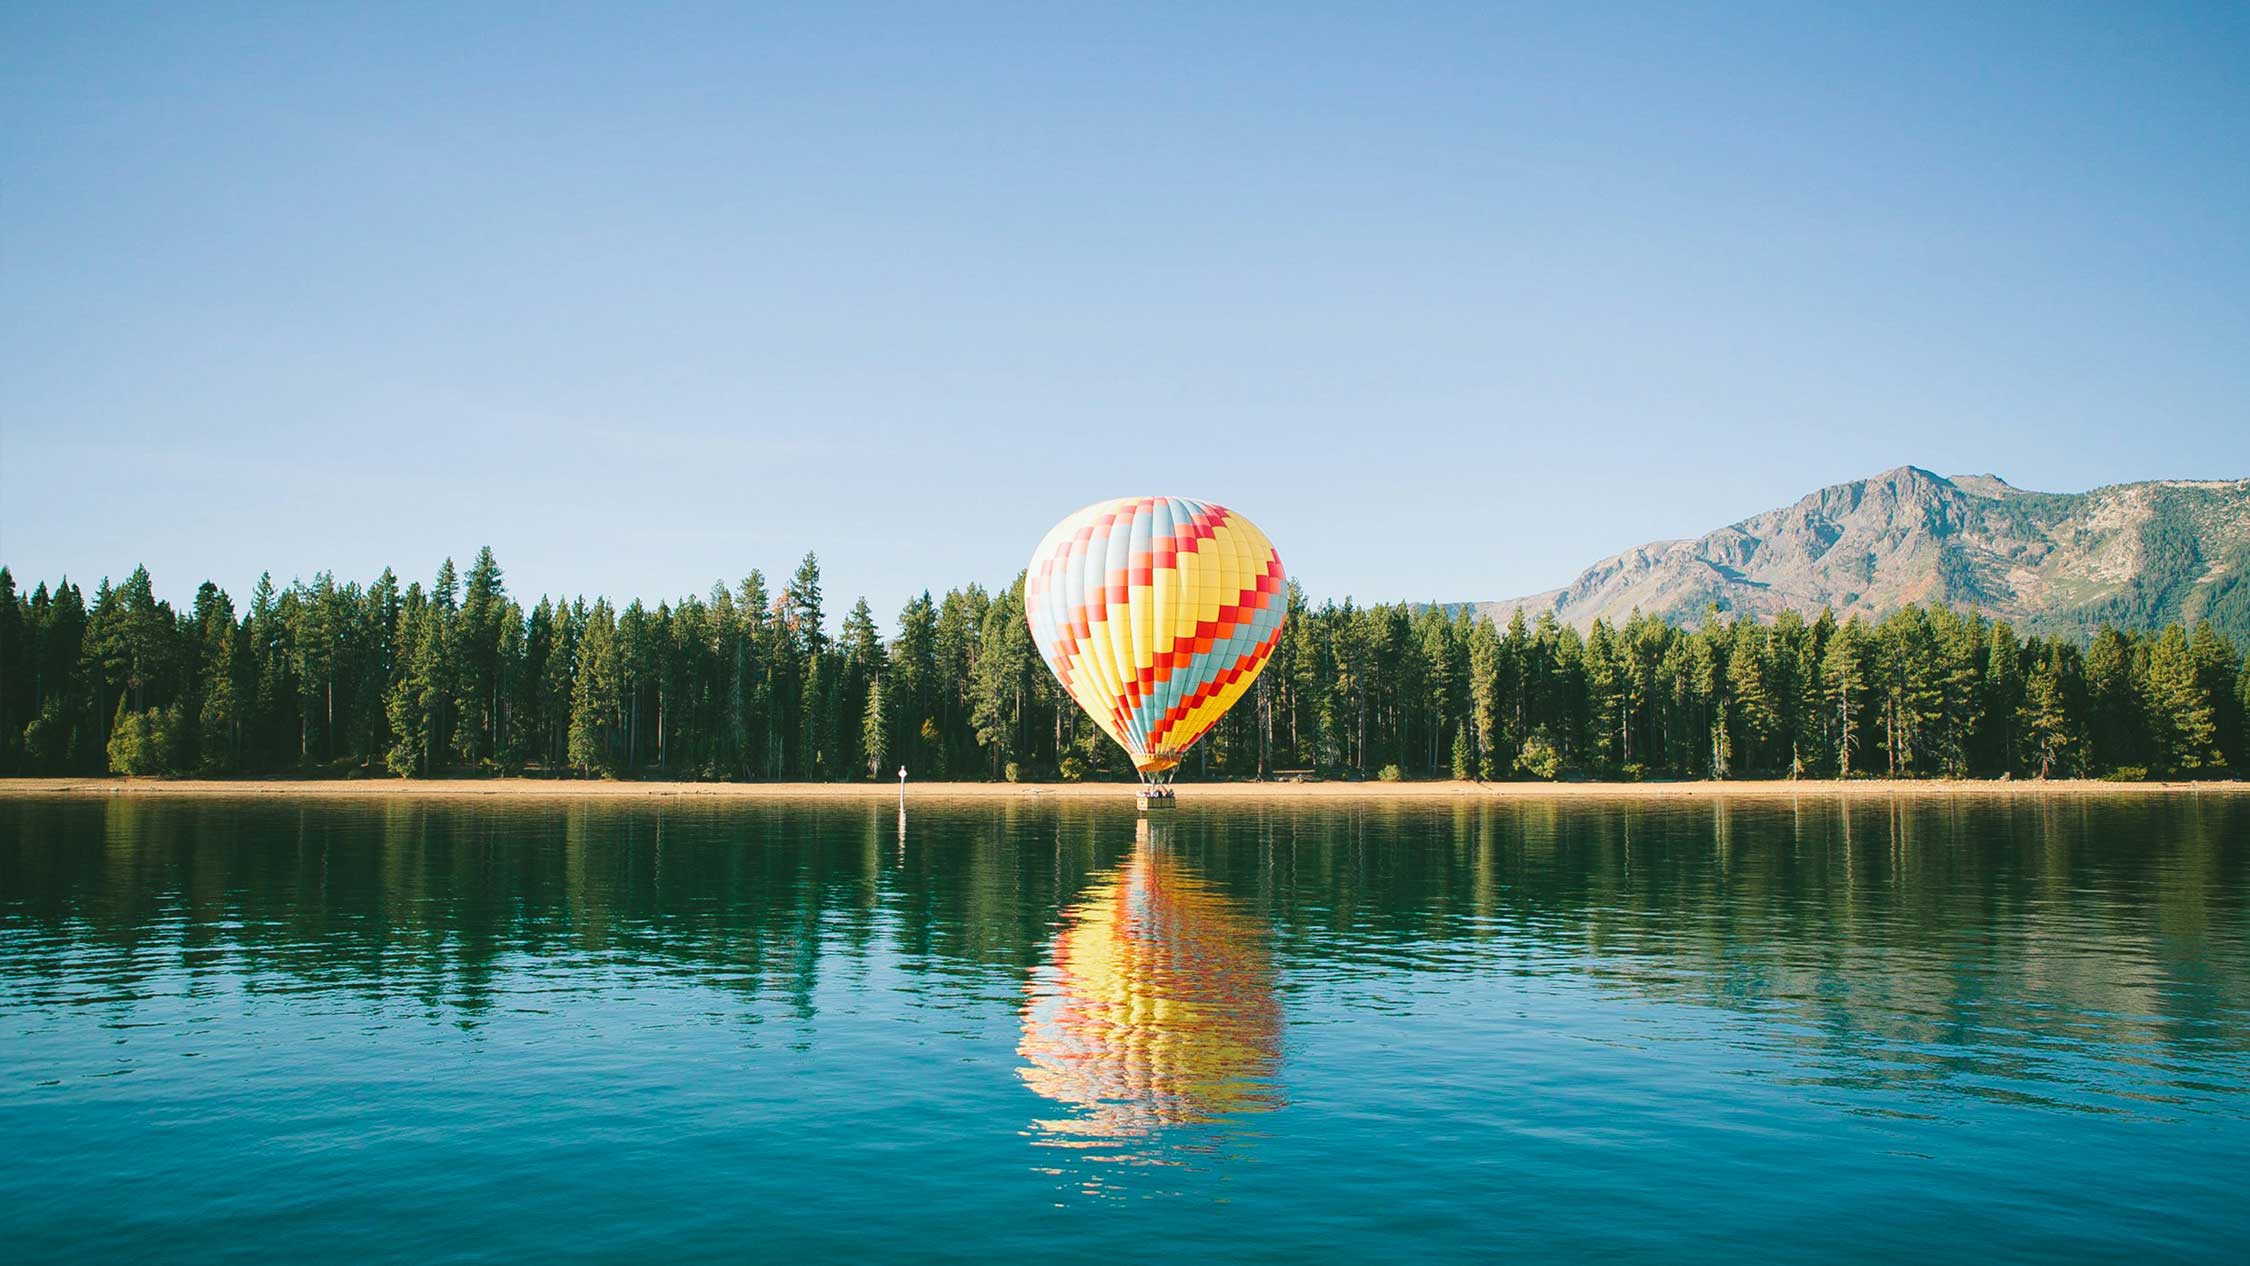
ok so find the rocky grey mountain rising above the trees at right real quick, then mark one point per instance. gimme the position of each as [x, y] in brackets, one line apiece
[2130, 554]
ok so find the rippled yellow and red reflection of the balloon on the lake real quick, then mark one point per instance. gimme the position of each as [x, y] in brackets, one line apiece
[1155, 1011]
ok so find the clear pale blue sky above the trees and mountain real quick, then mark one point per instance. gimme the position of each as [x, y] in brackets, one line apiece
[1452, 300]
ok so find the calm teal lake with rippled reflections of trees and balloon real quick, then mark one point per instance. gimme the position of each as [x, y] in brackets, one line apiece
[408, 1031]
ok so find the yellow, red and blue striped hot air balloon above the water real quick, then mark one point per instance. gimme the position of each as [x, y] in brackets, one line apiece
[1155, 615]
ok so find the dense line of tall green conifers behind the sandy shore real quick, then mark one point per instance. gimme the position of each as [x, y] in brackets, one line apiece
[750, 685]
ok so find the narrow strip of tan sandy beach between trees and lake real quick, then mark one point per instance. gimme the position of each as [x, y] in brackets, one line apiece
[1200, 793]
